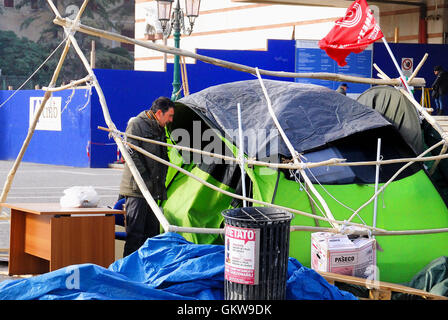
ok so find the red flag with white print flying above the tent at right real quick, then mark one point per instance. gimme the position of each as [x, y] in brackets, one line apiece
[352, 33]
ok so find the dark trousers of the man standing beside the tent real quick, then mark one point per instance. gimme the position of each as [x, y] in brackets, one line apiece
[141, 224]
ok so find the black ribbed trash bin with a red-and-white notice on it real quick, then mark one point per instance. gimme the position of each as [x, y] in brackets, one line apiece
[256, 253]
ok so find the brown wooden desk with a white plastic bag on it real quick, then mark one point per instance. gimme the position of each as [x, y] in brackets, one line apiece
[45, 237]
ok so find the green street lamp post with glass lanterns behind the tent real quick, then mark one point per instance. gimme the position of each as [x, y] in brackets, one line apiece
[177, 24]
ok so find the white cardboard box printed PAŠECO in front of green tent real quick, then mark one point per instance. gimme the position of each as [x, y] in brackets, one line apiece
[339, 254]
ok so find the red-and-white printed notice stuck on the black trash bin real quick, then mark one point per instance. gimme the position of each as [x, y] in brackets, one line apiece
[242, 248]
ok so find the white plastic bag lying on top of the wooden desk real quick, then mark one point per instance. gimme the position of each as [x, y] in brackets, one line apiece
[79, 197]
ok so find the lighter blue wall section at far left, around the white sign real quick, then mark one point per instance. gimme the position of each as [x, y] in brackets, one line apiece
[65, 147]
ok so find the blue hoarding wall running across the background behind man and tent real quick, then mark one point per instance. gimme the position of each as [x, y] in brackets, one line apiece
[129, 92]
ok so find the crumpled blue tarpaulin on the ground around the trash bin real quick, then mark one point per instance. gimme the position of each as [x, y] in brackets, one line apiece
[166, 267]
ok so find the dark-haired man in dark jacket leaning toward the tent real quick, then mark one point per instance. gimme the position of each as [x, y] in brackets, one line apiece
[141, 223]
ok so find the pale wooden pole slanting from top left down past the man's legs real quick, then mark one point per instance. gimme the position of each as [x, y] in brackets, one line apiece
[138, 179]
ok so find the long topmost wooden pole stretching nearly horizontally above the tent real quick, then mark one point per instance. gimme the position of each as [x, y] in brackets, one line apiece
[418, 82]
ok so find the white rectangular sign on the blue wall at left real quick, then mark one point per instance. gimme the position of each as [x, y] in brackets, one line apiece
[50, 118]
